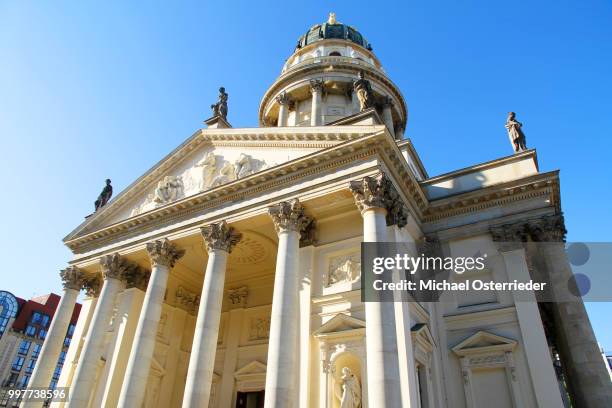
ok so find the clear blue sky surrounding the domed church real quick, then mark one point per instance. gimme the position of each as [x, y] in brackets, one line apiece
[95, 91]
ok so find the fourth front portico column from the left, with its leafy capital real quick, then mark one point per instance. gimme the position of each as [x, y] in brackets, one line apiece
[219, 240]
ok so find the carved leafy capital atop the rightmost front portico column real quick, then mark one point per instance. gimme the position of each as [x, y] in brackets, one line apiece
[378, 192]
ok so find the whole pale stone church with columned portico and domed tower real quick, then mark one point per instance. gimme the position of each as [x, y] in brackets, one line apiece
[229, 274]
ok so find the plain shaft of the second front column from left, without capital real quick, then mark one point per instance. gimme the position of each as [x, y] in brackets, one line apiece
[85, 375]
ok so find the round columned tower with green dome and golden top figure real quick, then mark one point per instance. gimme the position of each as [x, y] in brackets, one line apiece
[316, 85]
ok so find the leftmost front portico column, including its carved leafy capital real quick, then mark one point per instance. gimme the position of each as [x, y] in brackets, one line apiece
[72, 279]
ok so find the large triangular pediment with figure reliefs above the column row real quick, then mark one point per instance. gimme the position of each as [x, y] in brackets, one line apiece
[213, 158]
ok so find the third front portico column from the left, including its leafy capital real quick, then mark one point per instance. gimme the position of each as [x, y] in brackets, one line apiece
[163, 255]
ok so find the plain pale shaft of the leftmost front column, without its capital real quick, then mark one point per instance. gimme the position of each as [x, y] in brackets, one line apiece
[52, 347]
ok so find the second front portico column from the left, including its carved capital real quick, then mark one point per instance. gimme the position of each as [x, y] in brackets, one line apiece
[113, 270]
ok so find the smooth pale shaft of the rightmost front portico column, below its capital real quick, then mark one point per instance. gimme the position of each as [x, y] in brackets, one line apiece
[381, 336]
